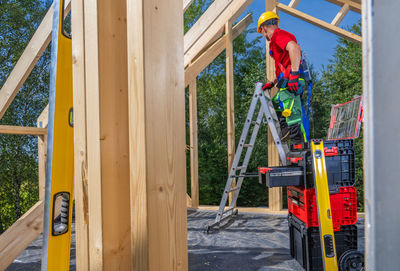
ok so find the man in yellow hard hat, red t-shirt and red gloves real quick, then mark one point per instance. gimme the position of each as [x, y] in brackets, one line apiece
[283, 48]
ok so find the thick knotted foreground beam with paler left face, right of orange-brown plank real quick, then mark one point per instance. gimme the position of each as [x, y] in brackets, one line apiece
[157, 135]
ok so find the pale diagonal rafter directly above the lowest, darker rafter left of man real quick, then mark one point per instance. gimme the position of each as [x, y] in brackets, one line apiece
[234, 8]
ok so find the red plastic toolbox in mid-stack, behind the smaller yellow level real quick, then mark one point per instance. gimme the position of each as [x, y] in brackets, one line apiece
[302, 203]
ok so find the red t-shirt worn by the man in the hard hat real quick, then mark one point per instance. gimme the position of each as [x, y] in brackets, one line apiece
[280, 38]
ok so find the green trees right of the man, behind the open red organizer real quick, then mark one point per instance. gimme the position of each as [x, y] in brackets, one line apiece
[341, 80]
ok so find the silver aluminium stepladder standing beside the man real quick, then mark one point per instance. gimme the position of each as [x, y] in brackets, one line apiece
[267, 111]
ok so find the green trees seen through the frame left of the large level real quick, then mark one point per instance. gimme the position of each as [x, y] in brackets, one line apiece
[18, 154]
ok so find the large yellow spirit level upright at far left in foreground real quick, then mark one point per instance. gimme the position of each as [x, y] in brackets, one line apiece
[60, 150]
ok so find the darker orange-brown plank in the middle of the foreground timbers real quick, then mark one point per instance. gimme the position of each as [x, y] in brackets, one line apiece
[113, 134]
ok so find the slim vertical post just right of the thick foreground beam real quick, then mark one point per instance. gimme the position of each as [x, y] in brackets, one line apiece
[194, 151]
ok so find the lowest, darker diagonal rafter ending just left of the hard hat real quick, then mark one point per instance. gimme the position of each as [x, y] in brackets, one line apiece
[213, 51]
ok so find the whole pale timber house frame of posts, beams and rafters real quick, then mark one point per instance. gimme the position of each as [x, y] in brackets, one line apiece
[129, 216]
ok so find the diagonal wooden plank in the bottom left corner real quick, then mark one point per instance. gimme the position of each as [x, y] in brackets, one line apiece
[21, 234]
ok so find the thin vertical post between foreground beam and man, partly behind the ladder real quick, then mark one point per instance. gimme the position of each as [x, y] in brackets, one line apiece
[230, 101]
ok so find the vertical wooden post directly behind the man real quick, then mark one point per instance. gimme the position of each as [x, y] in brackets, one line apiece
[274, 194]
